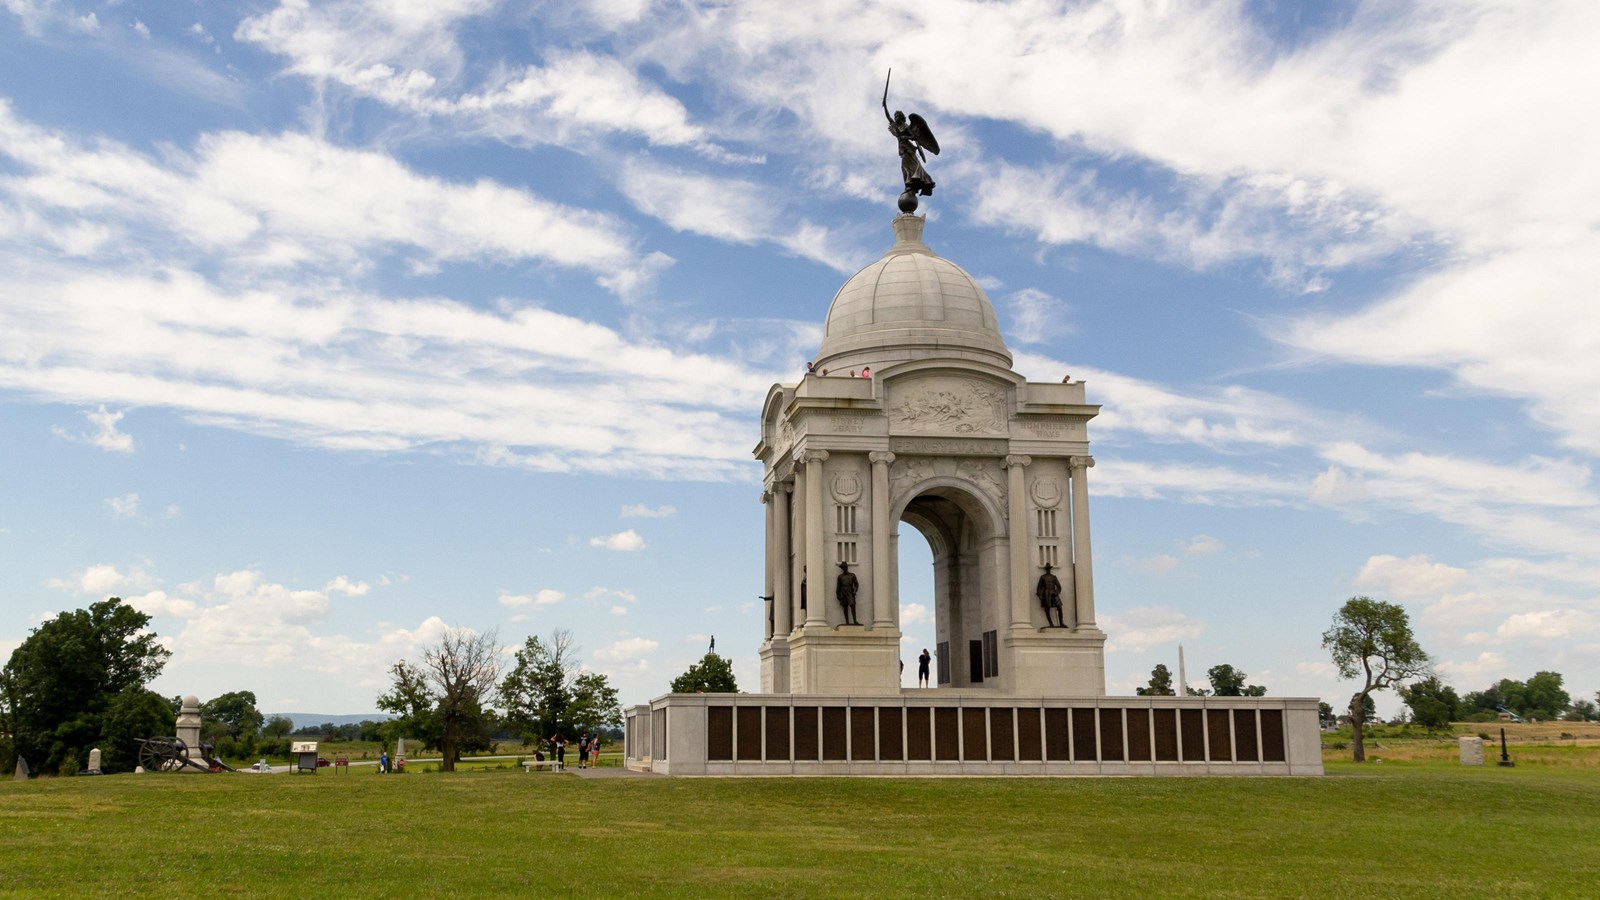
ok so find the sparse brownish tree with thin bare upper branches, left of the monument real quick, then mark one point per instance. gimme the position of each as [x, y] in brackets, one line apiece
[442, 701]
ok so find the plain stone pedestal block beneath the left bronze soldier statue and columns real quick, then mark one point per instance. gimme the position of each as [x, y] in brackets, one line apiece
[847, 659]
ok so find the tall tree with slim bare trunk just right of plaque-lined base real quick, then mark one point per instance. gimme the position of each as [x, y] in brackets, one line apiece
[1372, 641]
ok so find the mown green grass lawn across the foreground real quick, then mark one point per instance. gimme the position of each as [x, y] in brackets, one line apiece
[1383, 830]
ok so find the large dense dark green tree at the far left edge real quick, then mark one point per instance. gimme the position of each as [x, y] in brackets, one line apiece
[62, 681]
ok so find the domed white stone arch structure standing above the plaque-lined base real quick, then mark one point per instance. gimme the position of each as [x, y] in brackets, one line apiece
[943, 436]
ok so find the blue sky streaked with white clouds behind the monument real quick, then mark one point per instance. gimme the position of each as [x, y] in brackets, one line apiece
[329, 326]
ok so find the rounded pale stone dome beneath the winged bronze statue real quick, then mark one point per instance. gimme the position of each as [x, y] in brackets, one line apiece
[911, 305]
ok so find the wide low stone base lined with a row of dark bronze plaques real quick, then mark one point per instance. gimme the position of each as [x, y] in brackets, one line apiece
[972, 733]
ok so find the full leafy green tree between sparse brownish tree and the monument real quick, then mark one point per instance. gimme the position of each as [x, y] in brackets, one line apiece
[548, 694]
